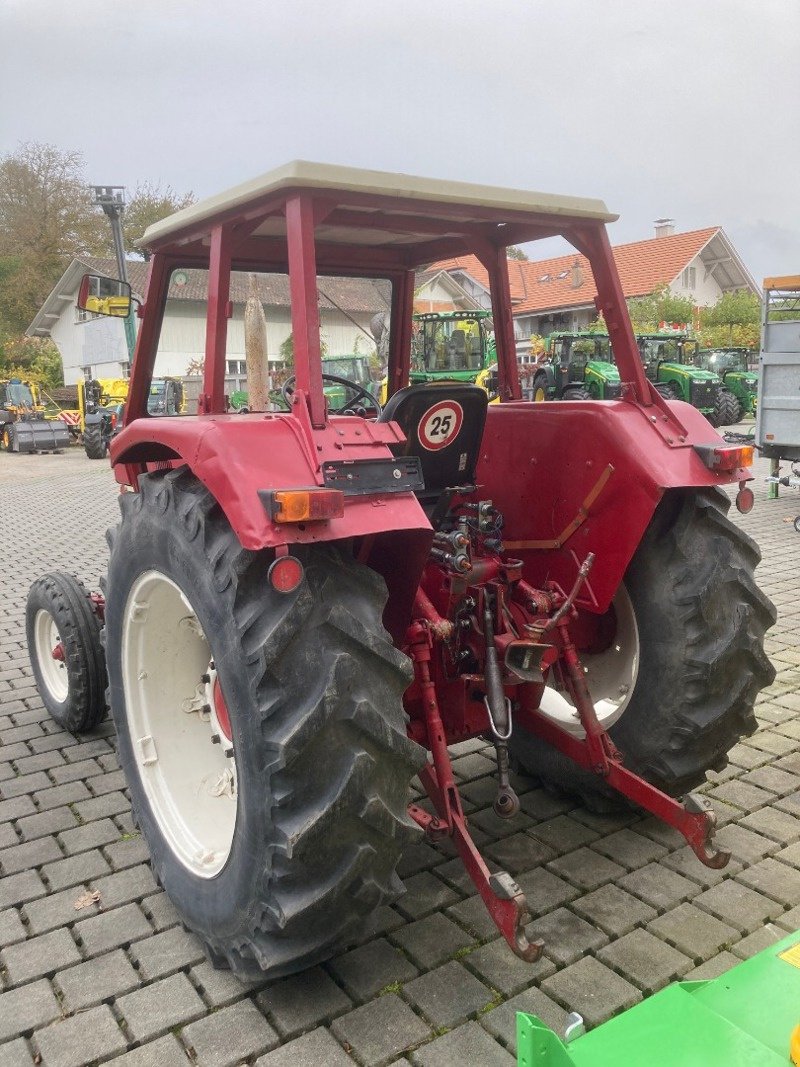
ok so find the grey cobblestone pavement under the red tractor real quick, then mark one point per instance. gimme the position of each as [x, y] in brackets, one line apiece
[623, 909]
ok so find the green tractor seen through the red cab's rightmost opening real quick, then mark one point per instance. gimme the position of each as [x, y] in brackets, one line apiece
[581, 368]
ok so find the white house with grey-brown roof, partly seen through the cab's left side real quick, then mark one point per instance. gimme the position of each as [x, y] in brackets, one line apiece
[95, 346]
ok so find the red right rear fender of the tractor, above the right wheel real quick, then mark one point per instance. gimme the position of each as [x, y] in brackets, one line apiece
[540, 463]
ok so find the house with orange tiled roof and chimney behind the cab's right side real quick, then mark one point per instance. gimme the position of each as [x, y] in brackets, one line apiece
[558, 294]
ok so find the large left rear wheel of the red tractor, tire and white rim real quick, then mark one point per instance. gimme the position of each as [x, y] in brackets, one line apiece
[263, 735]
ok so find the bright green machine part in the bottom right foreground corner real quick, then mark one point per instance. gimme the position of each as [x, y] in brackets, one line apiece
[748, 1017]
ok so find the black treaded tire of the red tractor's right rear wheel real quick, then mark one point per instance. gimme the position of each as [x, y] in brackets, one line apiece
[700, 623]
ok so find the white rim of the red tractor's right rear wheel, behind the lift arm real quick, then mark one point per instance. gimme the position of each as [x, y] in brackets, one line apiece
[611, 676]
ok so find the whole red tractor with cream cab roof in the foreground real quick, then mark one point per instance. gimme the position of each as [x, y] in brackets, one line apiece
[306, 609]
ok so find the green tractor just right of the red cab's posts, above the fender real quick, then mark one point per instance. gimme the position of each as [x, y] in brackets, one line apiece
[670, 363]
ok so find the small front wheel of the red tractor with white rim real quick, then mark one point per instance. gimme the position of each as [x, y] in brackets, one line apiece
[67, 655]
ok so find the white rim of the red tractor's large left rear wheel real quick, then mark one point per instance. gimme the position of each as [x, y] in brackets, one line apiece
[169, 679]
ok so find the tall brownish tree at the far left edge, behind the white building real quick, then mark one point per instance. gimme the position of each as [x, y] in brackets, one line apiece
[46, 219]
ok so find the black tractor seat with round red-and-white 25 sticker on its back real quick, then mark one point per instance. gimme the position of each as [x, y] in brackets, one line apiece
[444, 427]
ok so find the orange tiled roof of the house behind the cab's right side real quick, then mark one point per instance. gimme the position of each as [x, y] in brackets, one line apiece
[548, 284]
